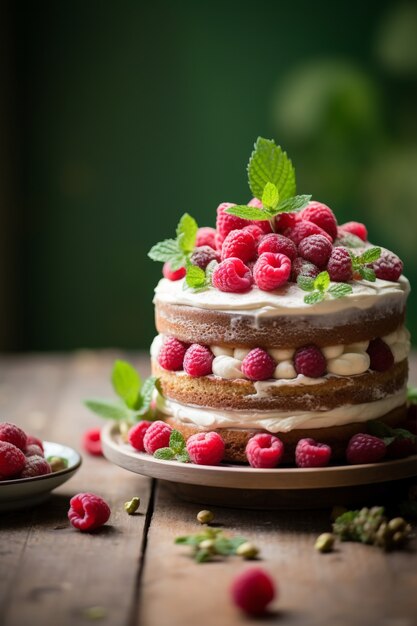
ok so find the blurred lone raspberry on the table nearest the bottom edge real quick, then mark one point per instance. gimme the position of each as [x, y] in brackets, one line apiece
[253, 590]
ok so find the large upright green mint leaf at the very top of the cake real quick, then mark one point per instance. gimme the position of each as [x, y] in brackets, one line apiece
[270, 164]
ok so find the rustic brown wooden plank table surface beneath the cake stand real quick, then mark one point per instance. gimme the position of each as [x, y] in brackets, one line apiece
[130, 572]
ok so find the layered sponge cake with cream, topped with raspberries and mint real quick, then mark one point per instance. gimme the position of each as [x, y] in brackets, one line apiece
[279, 321]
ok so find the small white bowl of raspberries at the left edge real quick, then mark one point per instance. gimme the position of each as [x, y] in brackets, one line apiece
[30, 468]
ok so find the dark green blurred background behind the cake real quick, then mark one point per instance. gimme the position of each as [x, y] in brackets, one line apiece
[116, 117]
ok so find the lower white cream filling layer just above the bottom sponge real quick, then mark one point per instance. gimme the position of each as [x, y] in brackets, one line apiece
[280, 421]
